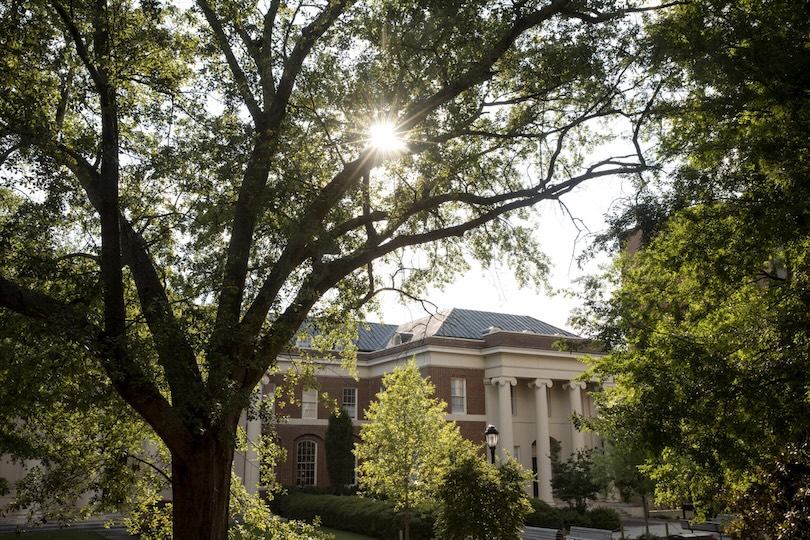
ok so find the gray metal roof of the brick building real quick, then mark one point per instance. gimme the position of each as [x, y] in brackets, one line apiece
[455, 323]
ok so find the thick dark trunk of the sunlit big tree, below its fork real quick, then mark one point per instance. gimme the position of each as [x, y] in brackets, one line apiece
[201, 489]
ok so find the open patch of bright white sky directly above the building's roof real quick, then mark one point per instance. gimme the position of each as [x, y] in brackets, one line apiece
[496, 289]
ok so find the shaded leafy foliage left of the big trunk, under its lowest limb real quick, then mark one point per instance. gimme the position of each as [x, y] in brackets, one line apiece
[44, 427]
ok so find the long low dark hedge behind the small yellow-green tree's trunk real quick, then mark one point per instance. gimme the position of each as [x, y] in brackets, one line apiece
[361, 515]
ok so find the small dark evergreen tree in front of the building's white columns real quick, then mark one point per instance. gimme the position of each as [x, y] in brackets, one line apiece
[573, 480]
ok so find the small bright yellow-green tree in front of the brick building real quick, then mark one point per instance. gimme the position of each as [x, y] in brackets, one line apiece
[406, 447]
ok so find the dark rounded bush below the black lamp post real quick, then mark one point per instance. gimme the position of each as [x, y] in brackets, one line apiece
[478, 500]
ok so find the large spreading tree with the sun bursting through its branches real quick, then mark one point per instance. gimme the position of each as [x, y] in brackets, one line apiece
[185, 184]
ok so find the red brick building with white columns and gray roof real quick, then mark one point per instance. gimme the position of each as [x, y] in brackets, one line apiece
[490, 368]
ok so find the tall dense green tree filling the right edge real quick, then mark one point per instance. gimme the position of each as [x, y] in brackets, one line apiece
[709, 319]
